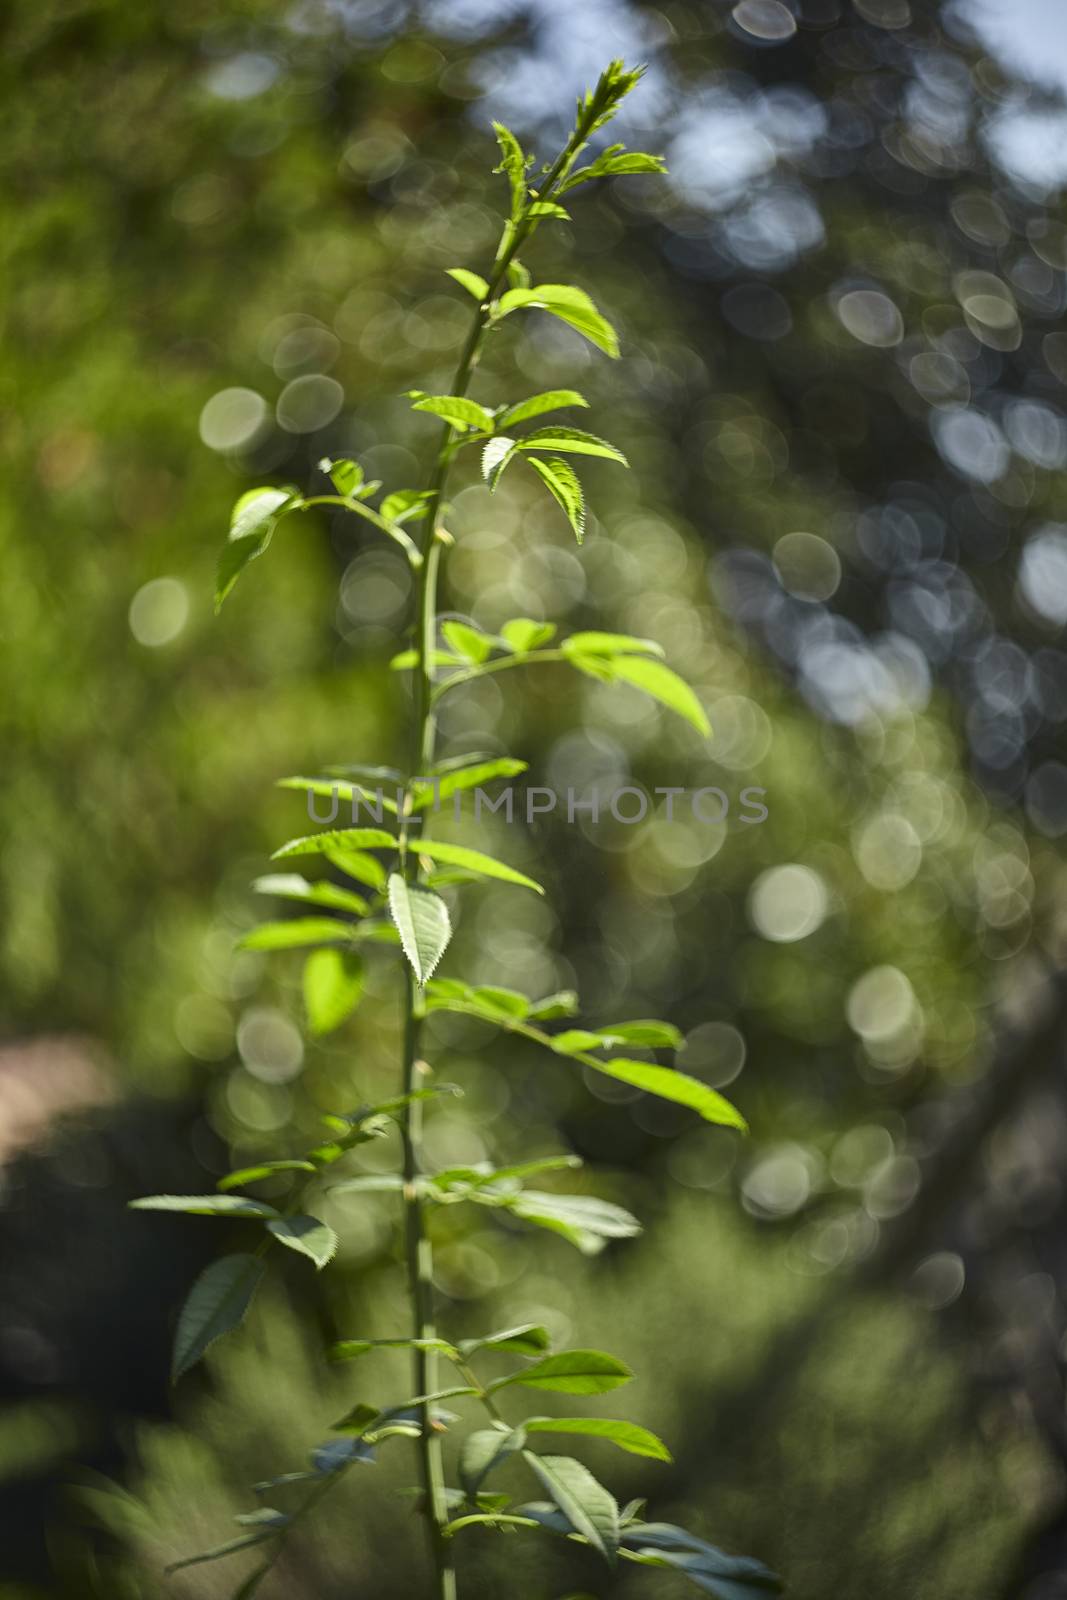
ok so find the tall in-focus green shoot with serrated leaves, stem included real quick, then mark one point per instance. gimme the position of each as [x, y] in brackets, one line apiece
[468, 1468]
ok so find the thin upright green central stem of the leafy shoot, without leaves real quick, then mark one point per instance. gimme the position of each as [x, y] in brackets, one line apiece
[418, 1247]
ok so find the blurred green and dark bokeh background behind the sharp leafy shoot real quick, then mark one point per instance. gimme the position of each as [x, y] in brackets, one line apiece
[842, 388]
